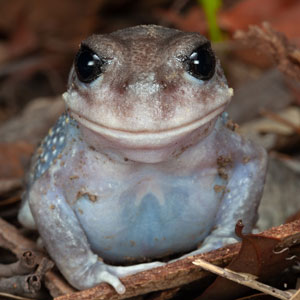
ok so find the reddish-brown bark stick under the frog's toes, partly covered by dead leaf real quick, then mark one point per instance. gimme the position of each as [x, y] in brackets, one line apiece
[180, 272]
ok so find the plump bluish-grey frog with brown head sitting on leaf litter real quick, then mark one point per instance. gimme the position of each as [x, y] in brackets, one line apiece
[143, 164]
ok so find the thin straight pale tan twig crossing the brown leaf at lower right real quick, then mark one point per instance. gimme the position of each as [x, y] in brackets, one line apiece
[244, 279]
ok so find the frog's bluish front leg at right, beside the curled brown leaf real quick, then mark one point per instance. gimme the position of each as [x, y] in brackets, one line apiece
[241, 197]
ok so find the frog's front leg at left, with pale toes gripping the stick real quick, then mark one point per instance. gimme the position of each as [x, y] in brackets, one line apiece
[67, 243]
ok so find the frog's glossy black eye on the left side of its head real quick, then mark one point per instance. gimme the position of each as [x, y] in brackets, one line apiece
[88, 65]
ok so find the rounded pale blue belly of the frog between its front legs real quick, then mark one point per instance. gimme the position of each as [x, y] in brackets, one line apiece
[160, 222]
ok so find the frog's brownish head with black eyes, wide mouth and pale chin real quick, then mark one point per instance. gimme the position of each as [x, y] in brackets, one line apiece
[146, 91]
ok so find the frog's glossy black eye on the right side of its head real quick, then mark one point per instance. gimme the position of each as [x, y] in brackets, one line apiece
[202, 62]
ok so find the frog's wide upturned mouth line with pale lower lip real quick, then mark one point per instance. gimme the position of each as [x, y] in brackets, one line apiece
[139, 137]
